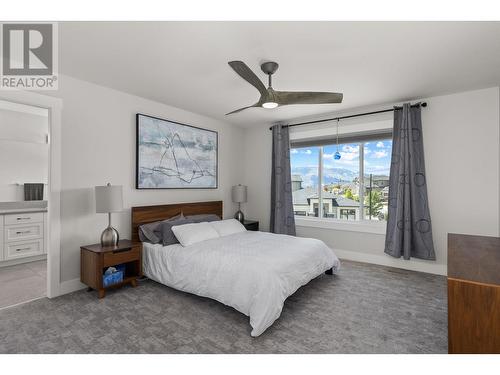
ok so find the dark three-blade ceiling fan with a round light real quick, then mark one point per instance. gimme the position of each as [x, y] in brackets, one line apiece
[269, 98]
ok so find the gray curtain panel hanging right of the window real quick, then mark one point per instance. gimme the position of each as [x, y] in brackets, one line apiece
[409, 231]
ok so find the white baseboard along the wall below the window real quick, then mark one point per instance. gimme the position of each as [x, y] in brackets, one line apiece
[386, 260]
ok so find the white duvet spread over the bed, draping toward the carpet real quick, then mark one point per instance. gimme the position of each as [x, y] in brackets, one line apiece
[254, 272]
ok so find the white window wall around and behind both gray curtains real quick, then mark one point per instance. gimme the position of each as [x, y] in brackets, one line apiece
[461, 145]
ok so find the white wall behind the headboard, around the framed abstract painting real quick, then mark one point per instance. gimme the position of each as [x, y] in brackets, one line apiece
[98, 146]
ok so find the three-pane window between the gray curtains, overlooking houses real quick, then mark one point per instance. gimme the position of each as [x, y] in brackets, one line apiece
[354, 187]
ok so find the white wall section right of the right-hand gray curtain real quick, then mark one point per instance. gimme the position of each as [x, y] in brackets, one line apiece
[461, 149]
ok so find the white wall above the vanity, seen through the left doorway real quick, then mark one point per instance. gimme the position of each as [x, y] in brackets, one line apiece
[24, 153]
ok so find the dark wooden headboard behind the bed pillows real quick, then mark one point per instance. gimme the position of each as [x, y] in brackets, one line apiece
[147, 214]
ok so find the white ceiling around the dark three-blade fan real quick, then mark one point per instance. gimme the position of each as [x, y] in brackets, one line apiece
[184, 64]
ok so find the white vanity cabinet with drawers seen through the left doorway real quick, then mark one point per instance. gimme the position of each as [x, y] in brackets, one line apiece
[22, 235]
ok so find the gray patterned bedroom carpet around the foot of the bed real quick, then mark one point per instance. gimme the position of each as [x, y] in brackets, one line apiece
[364, 309]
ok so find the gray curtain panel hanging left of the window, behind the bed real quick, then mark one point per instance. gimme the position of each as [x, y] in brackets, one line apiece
[282, 218]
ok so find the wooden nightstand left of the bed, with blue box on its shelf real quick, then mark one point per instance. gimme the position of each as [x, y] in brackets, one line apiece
[95, 259]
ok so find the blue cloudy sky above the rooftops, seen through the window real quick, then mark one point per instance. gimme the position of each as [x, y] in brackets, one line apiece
[377, 154]
